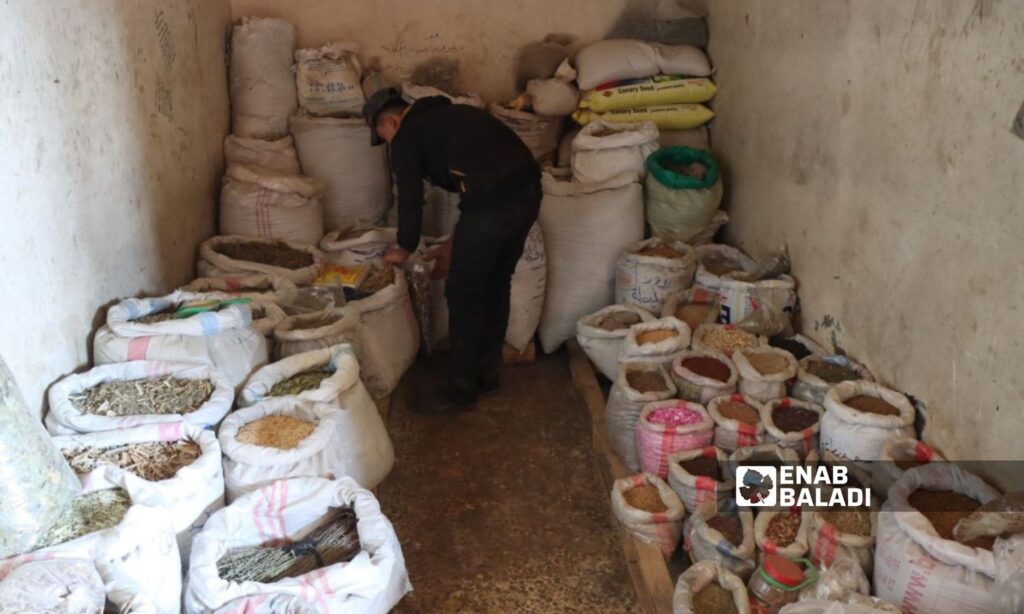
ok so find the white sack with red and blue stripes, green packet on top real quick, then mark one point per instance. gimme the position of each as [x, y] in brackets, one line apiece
[224, 339]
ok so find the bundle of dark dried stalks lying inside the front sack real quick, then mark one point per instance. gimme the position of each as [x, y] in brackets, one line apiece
[336, 541]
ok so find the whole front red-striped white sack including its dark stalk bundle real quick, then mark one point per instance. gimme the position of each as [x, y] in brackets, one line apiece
[244, 540]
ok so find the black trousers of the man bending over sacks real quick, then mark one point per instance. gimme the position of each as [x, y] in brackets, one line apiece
[489, 241]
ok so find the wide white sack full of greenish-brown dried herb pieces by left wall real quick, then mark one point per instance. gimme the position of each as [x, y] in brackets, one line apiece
[142, 392]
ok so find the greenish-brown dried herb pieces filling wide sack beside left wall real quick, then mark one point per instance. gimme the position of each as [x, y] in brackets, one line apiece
[144, 398]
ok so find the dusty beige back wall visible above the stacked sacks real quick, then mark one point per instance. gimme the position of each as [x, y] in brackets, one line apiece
[484, 36]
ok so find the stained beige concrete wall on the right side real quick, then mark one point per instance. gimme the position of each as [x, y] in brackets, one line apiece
[874, 138]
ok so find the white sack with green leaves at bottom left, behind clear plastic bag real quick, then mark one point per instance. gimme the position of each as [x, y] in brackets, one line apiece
[132, 546]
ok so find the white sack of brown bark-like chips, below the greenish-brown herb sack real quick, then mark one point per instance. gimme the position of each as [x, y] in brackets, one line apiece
[175, 466]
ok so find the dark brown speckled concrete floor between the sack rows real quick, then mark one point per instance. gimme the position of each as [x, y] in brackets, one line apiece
[502, 509]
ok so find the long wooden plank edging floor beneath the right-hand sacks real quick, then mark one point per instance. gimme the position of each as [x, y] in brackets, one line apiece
[649, 572]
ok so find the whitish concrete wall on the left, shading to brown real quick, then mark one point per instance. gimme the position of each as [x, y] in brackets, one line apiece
[114, 116]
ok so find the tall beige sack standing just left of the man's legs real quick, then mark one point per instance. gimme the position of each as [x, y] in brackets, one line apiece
[390, 336]
